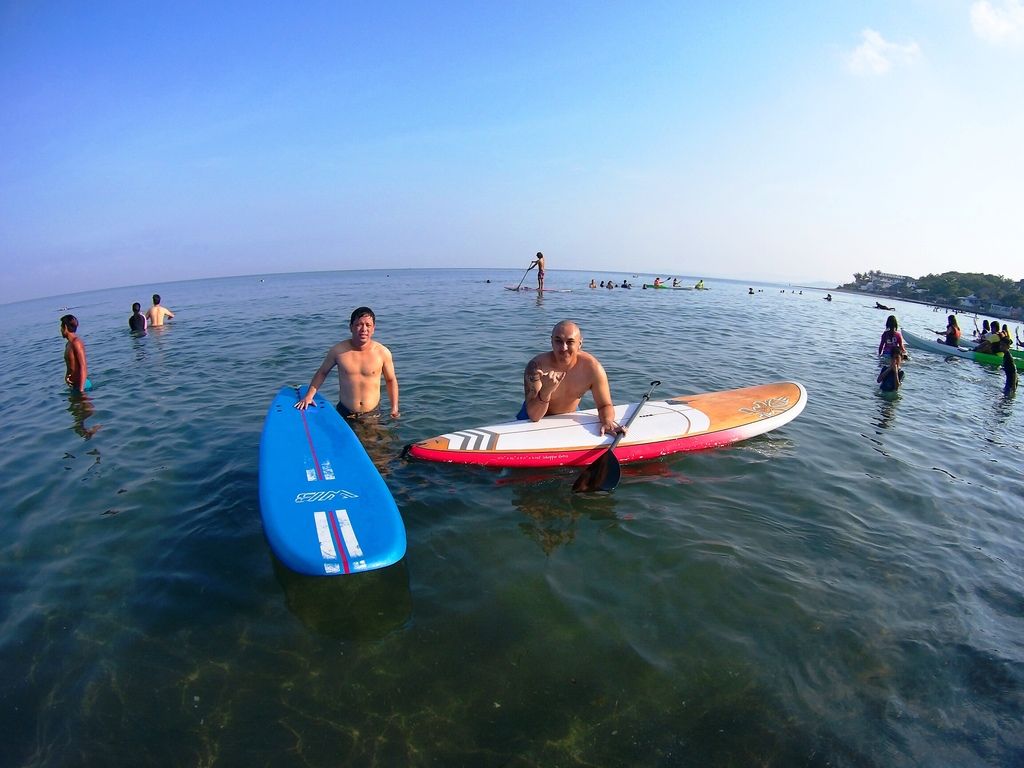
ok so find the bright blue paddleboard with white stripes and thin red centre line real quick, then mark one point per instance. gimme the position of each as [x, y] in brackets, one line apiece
[326, 508]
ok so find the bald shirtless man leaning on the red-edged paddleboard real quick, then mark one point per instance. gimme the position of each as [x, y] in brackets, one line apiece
[556, 382]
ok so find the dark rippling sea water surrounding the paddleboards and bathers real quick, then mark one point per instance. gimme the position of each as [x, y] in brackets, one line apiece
[845, 591]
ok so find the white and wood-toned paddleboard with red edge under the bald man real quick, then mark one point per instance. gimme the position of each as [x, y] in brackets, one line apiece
[663, 428]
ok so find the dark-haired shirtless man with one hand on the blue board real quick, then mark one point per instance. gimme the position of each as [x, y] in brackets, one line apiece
[362, 363]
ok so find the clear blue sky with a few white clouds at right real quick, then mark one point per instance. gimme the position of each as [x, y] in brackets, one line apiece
[783, 142]
